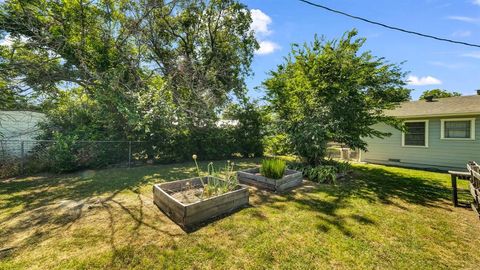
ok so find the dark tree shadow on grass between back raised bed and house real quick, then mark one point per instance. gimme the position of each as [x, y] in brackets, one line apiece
[372, 184]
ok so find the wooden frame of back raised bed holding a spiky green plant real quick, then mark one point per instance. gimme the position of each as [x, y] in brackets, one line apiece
[253, 177]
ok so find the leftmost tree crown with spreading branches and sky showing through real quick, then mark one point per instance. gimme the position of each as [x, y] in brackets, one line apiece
[84, 45]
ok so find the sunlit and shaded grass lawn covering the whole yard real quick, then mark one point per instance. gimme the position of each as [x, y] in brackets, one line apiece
[383, 218]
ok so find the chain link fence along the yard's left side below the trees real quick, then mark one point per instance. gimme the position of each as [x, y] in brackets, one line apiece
[18, 157]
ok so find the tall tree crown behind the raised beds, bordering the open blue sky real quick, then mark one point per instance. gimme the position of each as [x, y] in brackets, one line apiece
[204, 49]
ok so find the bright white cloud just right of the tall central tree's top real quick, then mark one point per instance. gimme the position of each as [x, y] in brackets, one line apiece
[261, 27]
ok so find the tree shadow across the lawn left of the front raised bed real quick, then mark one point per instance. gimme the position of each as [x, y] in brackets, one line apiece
[49, 204]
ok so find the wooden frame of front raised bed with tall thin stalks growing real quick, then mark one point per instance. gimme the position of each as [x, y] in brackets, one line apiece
[187, 215]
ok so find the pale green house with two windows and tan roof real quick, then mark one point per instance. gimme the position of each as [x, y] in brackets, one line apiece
[441, 134]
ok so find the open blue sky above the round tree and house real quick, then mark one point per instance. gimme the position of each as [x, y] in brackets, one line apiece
[432, 64]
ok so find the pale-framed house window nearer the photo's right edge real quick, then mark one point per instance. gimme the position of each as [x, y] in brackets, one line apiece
[458, 129]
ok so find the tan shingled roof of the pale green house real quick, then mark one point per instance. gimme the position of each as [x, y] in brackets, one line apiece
[463, 105]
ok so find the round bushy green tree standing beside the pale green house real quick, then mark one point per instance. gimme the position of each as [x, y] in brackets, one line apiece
[330, 91]
